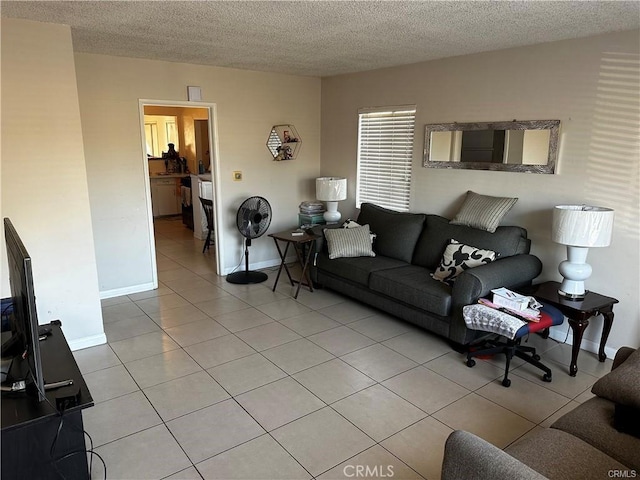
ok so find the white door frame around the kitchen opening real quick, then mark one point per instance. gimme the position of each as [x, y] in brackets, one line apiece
[215, 177]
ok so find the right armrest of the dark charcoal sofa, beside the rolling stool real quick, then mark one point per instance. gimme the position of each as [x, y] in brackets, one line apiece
[511, 272]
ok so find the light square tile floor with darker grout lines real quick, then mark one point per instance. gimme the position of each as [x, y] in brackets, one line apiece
[204, 379]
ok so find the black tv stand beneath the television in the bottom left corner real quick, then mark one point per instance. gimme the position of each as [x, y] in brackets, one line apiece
[29, 427]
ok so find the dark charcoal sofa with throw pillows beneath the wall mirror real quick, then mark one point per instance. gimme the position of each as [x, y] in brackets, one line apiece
[408, 248]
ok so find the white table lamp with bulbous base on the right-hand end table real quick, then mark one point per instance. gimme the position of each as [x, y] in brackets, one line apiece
[579, 227]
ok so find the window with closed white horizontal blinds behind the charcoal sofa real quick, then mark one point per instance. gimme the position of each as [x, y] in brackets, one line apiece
[385, 151]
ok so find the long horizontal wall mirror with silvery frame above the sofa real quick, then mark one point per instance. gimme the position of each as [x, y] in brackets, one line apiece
[525, 146]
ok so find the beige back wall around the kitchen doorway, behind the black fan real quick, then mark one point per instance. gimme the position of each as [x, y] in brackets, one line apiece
[248, 104]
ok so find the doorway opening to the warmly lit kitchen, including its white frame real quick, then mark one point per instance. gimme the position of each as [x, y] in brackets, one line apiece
[175, 181]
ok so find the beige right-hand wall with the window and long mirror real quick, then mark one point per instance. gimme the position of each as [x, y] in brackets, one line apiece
[591, 85]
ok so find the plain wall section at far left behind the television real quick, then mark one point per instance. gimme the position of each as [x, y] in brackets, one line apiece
[44, 183]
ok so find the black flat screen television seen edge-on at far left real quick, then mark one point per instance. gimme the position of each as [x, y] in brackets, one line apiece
[24, 341]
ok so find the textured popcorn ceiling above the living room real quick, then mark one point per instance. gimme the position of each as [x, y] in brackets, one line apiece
[320, 38]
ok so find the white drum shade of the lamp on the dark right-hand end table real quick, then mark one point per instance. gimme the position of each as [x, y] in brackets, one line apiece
[582, 225]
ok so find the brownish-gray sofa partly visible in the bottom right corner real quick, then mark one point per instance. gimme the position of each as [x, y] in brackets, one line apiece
[591, 441]
